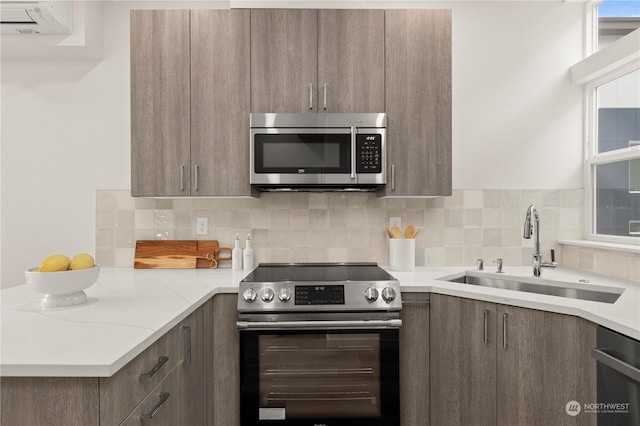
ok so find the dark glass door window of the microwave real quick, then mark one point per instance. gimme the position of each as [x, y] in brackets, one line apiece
[302, 153]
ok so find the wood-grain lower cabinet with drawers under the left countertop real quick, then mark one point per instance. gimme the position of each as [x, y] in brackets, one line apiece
[164, 385]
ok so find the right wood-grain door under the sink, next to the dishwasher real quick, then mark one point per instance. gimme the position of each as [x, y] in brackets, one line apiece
[544, 362]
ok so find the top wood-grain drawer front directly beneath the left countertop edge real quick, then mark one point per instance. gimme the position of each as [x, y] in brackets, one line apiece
[122, 392]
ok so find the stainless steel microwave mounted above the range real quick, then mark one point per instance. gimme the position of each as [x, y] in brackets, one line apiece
[318, 152]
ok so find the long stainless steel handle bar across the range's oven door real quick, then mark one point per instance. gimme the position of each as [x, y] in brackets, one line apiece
[318, 325]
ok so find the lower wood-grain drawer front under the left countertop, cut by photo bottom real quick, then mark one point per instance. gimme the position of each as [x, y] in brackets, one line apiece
[162, 406]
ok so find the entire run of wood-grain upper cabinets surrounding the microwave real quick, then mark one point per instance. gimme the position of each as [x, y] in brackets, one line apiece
[196, 76]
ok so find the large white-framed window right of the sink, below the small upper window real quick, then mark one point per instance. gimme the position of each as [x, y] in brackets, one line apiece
[613, 160]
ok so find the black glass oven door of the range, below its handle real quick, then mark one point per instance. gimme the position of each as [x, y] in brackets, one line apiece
[312, 377]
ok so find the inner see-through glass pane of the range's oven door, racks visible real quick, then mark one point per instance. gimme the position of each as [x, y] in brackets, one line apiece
[320, 375]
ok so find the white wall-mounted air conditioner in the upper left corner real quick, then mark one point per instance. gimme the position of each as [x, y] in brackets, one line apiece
[36, 17]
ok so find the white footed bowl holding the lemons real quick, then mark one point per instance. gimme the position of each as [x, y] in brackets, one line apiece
[63, 288]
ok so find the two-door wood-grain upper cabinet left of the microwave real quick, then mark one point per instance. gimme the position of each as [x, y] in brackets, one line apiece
[189, 102]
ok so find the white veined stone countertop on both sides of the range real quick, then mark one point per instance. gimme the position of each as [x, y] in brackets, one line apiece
[129, 309]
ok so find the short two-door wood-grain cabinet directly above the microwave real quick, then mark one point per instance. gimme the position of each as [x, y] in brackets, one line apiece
[317, 61]
